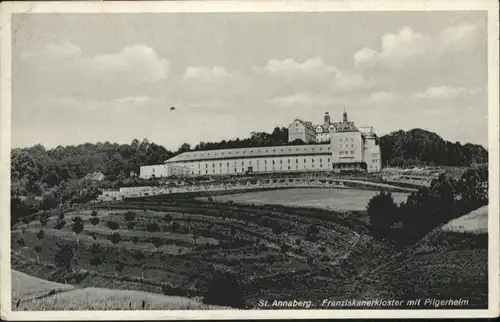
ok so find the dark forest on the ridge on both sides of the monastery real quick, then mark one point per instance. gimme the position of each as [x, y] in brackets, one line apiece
[44, 178]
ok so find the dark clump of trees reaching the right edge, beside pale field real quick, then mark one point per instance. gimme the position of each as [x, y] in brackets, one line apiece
[429, 207]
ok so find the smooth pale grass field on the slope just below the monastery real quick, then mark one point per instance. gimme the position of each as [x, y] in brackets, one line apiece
[332, 199]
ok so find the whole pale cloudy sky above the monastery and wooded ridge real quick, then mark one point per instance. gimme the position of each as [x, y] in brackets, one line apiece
[80, 78]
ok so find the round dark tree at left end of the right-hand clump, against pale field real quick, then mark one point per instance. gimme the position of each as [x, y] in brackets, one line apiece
[382, 212]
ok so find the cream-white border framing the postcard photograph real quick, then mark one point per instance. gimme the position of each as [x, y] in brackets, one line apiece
[6, 9]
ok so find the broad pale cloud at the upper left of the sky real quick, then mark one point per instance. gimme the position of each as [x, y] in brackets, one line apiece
[130, 70]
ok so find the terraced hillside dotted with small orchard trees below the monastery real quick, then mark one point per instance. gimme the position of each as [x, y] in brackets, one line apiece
[171, 245]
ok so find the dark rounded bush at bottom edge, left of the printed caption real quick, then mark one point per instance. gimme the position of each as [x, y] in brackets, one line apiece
[224, 290]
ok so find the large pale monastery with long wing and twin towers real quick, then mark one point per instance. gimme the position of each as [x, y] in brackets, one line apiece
[350, 148]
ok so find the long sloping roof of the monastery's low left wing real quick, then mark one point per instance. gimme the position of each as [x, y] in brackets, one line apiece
[269, 151]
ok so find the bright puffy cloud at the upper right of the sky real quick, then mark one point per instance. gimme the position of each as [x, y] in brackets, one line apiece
[409, 45]
